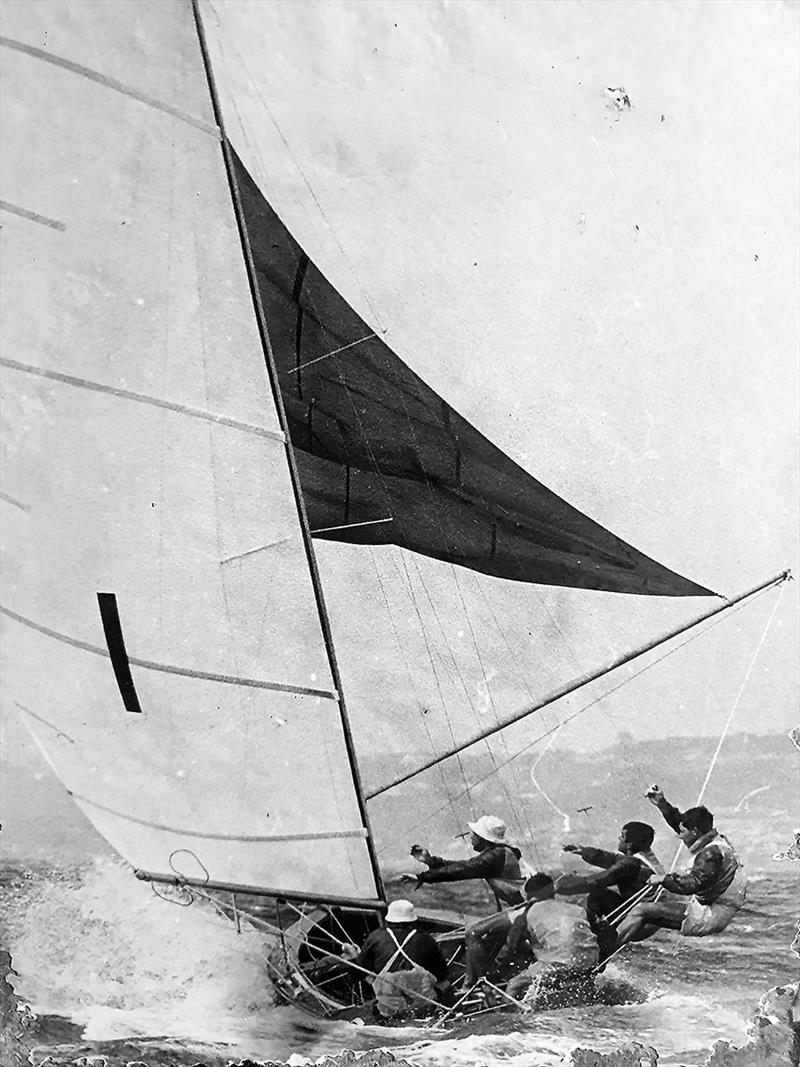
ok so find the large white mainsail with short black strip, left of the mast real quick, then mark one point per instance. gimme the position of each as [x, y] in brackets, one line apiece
[143, 458]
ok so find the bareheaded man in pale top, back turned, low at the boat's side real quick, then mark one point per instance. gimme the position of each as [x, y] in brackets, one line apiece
[564, 945]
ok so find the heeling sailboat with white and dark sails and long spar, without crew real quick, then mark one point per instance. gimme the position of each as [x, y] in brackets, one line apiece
[188, 405]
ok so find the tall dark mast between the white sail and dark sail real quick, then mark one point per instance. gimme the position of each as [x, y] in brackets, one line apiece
[273, 373]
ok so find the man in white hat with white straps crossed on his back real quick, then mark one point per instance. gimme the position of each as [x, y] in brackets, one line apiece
[410, 972]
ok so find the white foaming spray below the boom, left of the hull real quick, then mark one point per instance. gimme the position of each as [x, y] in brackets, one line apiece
[107, 953]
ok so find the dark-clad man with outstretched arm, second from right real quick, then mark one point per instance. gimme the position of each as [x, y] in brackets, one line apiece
[621, 875]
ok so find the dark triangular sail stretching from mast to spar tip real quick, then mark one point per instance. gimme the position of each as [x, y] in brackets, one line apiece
[383, 459]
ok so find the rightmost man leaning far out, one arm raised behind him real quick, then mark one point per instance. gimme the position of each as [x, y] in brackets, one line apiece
[716, 884]
